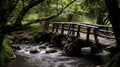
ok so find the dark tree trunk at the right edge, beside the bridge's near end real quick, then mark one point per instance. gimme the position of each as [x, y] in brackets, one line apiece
[114, 17]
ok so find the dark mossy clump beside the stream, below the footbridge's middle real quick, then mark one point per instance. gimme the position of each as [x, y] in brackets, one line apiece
[73, 47]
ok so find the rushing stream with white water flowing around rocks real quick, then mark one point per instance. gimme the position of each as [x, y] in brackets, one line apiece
[26, 59]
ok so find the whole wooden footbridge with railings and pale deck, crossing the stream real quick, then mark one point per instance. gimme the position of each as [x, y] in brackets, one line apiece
[98, 33]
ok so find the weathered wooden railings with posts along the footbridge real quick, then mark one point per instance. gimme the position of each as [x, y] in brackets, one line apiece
[75, 29]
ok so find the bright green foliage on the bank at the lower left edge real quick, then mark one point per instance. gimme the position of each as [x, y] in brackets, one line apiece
[6, 51]
